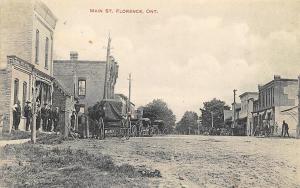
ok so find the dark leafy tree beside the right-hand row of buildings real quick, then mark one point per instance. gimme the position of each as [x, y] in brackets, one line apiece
[214, 108]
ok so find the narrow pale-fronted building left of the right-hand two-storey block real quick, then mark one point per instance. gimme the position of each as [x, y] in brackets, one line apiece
[245, 116]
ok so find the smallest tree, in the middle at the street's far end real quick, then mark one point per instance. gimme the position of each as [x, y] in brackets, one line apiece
[188, 123]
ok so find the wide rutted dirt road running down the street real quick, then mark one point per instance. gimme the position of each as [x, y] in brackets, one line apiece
[207, 161]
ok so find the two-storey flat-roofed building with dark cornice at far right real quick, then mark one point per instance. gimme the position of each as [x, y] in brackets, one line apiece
[275, 100]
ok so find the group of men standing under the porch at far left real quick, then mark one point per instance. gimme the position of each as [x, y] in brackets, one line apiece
[46, 115]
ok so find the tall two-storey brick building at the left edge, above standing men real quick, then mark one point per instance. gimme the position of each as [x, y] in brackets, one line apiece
[26, 47]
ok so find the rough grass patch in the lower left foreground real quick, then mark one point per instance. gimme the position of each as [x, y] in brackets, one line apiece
[40, 166]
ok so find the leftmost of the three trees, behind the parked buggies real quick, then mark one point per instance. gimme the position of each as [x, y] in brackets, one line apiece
[159, 110]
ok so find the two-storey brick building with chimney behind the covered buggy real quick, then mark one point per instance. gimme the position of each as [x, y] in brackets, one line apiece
[87, 79]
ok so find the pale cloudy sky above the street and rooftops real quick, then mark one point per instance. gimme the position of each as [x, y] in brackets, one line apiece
[188, 51]
